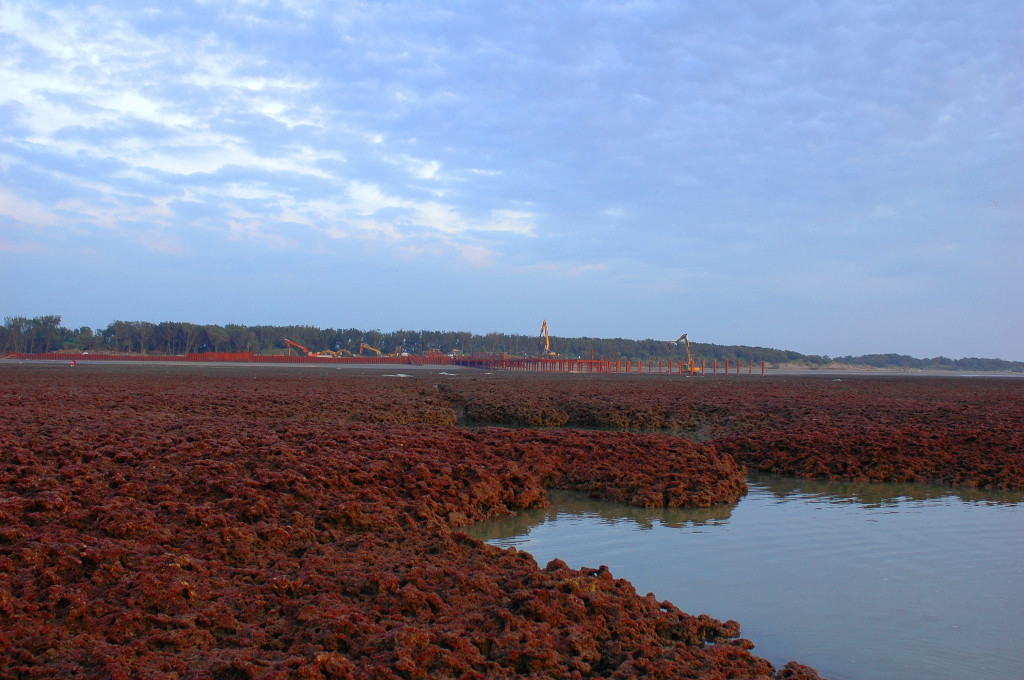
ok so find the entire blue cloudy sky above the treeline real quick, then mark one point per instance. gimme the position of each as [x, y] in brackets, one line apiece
[831, 178]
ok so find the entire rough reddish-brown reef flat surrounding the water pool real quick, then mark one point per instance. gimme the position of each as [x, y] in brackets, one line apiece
[205, 524]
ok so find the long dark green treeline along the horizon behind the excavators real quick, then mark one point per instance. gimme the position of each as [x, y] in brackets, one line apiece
[46, 334]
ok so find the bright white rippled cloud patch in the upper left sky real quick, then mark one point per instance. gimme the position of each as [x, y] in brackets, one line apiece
[197, 113]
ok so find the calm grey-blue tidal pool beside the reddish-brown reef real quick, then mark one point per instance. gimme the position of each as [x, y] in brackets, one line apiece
[863, 582]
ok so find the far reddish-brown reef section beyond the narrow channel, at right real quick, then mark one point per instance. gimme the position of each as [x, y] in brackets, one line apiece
[963, 432]
